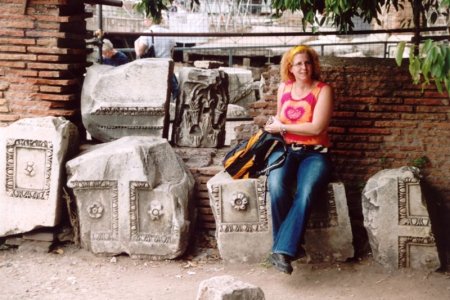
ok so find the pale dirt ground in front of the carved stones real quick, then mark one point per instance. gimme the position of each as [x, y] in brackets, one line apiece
[78, 274]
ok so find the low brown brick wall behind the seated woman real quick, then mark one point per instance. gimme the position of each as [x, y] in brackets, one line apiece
[381, 120]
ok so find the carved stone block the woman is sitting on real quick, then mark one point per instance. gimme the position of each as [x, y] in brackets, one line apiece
[244, 224]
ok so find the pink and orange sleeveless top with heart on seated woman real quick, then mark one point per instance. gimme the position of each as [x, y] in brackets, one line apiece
[297, 111]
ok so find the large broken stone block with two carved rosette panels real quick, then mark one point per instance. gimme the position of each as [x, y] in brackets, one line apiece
[133, 196]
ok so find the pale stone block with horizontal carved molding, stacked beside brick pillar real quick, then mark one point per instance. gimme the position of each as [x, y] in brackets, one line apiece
[132, 99]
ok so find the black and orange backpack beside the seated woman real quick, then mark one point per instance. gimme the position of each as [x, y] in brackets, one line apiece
[248, 159]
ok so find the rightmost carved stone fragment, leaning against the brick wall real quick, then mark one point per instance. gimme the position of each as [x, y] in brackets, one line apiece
[397, 221]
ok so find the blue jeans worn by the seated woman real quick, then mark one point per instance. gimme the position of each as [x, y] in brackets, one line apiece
[292, 187]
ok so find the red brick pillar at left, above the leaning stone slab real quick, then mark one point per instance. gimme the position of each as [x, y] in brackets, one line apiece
[42, 58]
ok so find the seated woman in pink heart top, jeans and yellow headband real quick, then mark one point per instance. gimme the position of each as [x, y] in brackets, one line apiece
[304, 108]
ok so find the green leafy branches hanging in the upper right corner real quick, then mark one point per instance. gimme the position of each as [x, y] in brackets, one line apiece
[428, 62]
